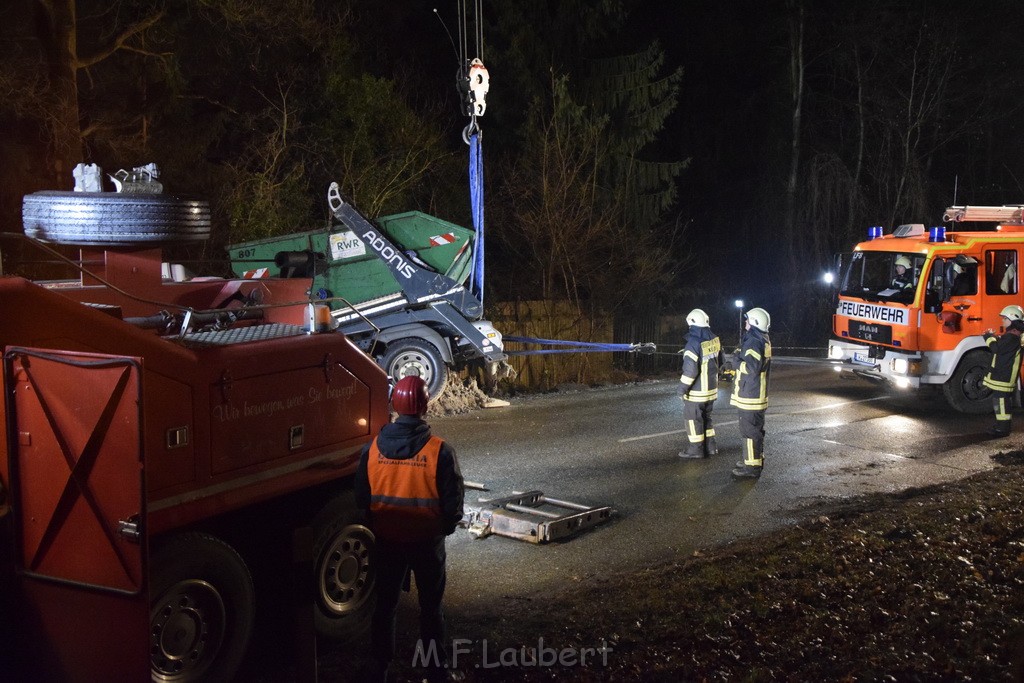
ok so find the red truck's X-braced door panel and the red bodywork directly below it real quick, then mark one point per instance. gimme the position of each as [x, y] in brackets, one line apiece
[76, 478]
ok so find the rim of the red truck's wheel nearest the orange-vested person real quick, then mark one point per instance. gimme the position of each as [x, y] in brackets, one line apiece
[345, 573]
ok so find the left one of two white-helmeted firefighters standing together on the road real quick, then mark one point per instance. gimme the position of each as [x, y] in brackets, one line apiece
[699, 386]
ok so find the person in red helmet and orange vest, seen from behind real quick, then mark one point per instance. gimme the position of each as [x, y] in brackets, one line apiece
[410, 485]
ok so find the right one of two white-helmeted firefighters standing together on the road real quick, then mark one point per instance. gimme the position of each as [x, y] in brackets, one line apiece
[750, 393]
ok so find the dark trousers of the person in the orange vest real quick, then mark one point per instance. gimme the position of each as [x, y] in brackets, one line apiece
[426, 560]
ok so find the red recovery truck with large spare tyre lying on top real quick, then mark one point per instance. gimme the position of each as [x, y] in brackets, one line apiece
[160, 439]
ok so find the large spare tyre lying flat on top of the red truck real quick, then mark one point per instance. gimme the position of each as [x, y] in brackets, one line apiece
[113, 219]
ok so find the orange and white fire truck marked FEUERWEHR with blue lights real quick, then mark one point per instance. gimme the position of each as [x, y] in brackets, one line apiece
[914, 305]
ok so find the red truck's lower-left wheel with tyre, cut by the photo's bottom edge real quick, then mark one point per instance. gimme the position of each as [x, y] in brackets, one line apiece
[201, 617]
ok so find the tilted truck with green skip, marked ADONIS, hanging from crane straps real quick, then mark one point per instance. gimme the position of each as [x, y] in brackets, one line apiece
[397, 287]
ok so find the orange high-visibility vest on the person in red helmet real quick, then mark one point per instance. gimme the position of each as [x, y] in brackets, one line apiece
[404, 498]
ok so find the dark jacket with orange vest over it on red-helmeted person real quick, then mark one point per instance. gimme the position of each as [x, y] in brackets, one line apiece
[409, 483]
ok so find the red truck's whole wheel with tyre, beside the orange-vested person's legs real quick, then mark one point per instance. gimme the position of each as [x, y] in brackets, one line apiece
[345, 571]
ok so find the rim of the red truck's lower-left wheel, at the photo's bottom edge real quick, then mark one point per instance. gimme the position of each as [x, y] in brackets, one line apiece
[187, 629]
